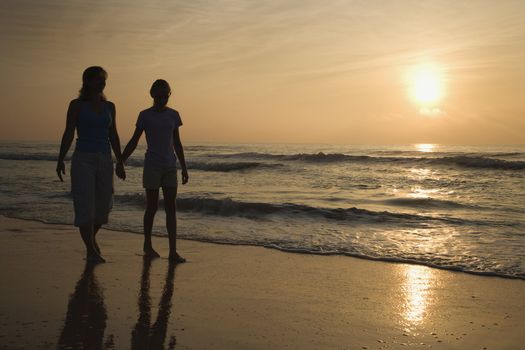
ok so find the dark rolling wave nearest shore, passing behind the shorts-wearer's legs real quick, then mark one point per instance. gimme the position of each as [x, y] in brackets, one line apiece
[229, 207]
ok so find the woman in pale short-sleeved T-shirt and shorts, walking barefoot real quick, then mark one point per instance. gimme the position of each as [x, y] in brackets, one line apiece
[161, 125]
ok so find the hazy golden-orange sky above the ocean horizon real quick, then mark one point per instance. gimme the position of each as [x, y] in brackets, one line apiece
[298, 71]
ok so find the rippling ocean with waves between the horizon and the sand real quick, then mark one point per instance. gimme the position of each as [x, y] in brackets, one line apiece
[454, 207]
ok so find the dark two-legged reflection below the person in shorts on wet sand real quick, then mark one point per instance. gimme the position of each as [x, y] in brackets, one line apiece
[145, 335]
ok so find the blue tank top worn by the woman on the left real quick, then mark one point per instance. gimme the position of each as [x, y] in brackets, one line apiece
[93, 129]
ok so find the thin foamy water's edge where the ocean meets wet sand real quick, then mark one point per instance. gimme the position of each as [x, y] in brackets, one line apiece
[307, 252]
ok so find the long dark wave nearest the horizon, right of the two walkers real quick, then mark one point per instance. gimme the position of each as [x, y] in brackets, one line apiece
[461, 161]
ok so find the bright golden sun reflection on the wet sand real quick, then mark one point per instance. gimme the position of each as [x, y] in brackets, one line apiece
[418, 294]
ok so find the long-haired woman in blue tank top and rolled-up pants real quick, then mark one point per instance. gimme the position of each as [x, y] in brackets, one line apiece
[93, 117]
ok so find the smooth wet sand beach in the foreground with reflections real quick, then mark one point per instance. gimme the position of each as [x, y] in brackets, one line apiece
[237, 297]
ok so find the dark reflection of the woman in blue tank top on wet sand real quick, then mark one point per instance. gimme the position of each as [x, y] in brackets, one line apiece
[86, 316]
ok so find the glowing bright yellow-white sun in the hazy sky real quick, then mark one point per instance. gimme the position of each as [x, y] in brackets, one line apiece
[426, 84]
